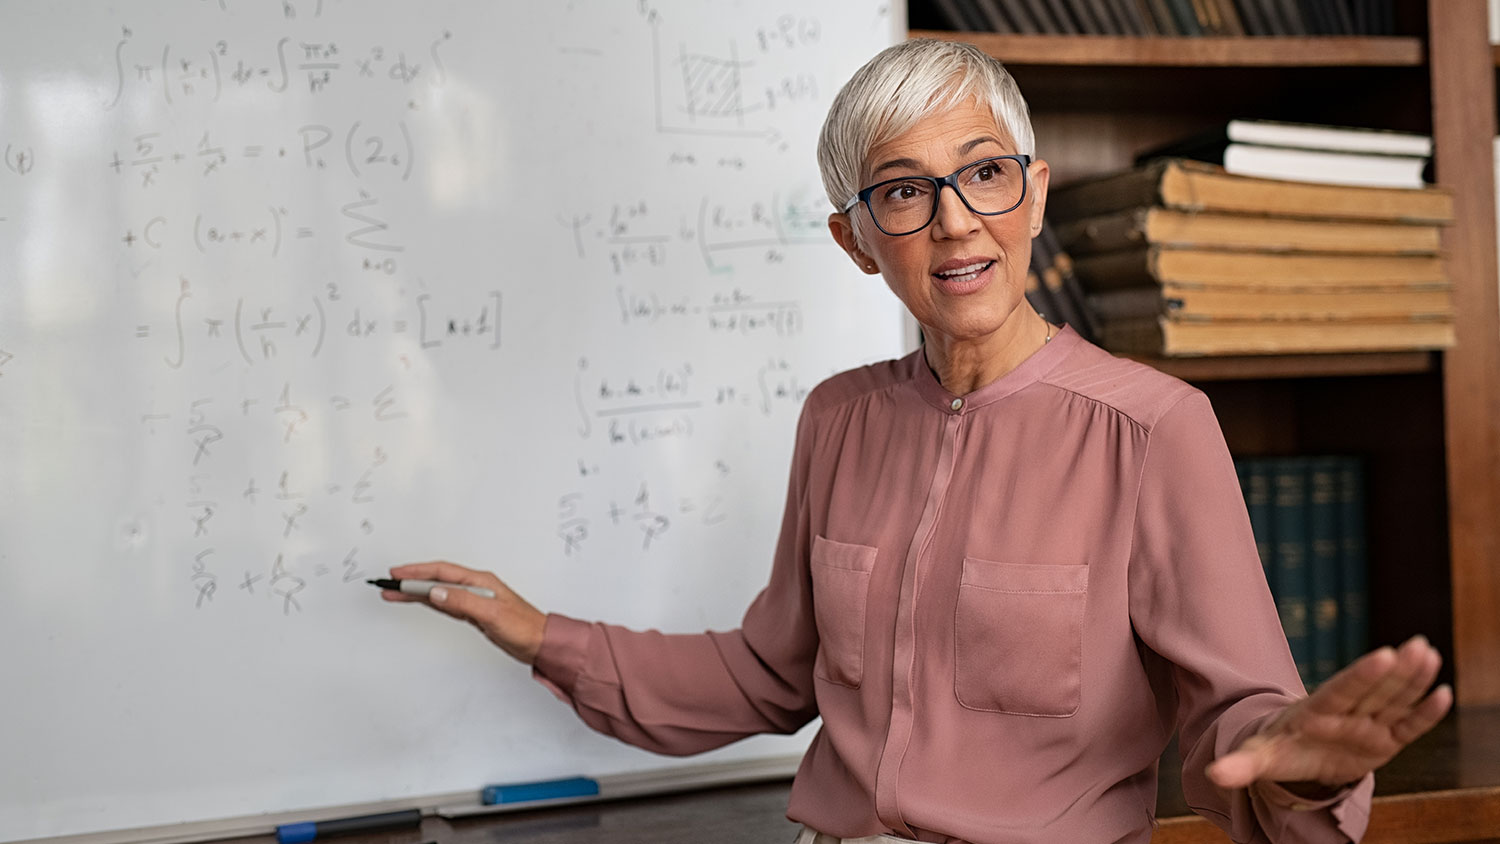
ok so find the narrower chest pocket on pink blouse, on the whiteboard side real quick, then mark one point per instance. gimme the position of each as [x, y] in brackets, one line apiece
[841, 591]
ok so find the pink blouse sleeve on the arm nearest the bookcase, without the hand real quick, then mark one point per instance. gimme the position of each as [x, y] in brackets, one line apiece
[1201, 605]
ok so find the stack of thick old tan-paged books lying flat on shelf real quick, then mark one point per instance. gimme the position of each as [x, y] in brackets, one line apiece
[1183, 259]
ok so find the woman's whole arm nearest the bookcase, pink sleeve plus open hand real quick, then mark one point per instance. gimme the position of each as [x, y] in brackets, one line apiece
[1258, 752]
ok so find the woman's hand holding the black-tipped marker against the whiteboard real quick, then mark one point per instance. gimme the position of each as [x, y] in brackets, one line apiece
[506, 620]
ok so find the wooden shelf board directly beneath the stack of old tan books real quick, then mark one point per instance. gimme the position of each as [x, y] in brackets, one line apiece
[1246, 368]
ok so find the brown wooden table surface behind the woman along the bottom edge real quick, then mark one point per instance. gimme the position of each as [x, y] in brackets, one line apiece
[1442, 789]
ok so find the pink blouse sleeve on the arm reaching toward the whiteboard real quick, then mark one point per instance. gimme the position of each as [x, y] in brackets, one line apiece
[688, 693]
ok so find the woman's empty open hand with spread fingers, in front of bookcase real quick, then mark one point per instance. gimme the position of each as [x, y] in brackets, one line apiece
[1357, 722]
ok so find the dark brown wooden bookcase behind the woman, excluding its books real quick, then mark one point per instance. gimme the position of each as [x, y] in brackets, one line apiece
[1427, 422]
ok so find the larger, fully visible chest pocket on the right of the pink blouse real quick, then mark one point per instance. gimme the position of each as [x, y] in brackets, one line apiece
[1019, 638]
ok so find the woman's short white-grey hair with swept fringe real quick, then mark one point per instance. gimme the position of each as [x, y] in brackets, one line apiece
[902, 86]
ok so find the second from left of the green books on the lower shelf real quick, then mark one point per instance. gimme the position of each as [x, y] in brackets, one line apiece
[1289, 527]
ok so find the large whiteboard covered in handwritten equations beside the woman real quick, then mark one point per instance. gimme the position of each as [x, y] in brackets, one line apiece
[293, 292]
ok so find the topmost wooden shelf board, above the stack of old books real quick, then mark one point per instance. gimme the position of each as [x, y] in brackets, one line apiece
[1063, 50]
